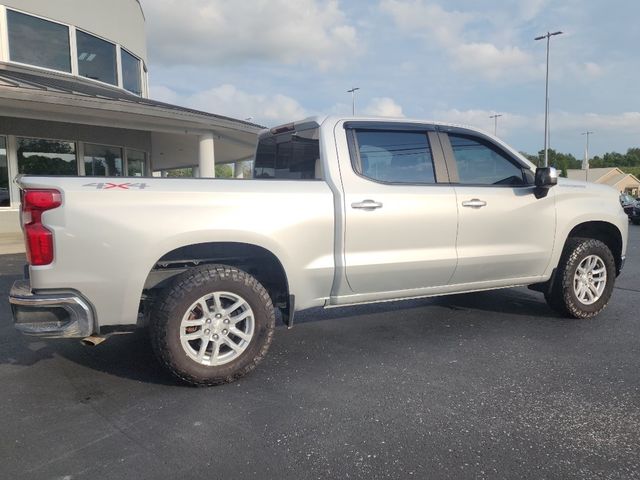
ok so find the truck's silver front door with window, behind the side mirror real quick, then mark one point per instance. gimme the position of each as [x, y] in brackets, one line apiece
[505, 231]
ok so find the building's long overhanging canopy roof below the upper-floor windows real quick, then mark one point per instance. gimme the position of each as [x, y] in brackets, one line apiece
[36, 94]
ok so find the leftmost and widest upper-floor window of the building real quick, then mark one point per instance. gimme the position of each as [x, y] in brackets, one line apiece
[38, 42]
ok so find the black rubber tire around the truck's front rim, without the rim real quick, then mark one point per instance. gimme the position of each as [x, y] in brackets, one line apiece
[562, 297]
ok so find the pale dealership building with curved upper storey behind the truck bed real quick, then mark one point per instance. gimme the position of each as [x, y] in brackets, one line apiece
[74, 100]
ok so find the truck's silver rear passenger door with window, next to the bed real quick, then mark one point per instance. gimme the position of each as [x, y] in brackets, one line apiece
[401, 216]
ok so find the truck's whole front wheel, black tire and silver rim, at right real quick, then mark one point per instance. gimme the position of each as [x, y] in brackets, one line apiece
[584, 279]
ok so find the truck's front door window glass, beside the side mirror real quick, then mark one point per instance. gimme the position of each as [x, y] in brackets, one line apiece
[481, 163]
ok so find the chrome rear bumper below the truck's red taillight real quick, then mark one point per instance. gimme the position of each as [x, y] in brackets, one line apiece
[55, 315]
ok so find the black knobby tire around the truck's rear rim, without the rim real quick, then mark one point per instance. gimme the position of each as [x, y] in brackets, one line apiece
[174, 303]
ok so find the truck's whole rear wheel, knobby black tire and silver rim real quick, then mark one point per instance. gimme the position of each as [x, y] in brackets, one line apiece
[213, 325]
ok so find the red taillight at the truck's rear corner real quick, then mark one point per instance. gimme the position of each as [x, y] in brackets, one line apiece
[38, 238]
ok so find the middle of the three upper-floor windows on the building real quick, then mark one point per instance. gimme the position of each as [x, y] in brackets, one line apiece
[96, 58]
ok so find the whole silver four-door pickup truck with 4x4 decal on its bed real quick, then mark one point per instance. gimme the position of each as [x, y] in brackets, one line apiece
[340, 211]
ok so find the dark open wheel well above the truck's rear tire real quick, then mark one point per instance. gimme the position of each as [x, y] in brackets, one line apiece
[257, 261]
